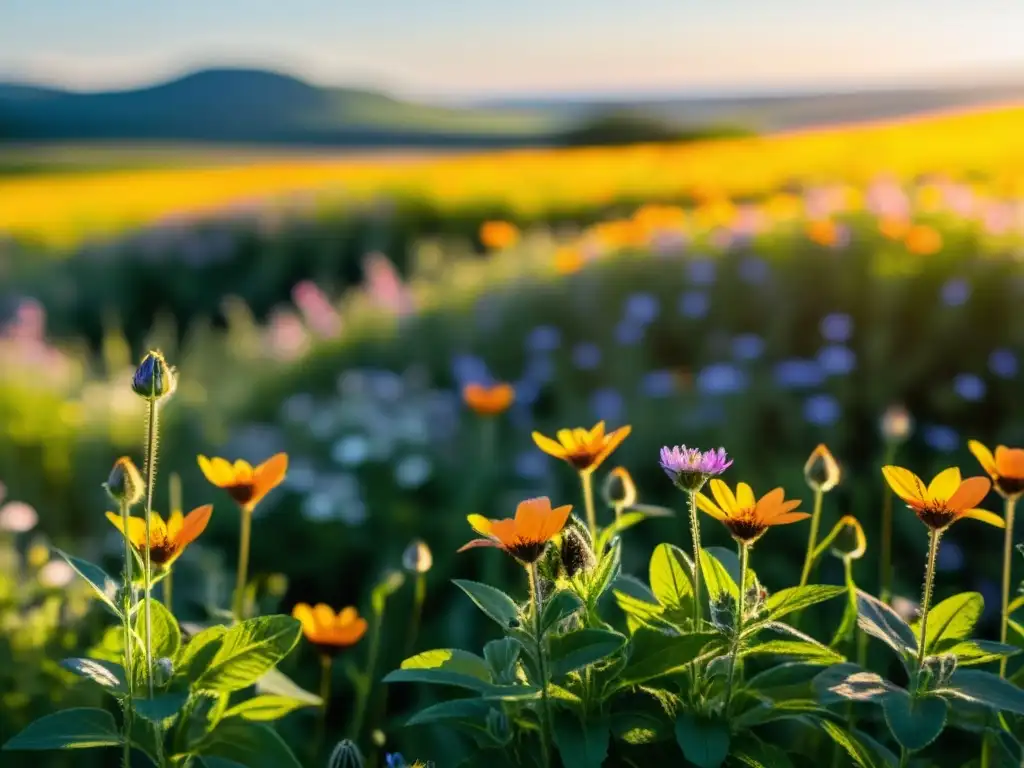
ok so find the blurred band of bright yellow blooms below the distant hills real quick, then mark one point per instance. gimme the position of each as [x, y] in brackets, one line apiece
[61, 210]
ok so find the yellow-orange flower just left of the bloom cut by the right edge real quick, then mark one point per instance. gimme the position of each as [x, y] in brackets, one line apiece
[946, 500]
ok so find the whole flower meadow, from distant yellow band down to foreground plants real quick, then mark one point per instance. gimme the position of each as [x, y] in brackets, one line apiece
[702, 454]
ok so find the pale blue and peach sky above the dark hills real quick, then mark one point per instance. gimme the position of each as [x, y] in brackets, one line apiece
[497, 48]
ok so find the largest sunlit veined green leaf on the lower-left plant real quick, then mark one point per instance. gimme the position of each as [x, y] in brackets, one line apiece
[248, 652]
